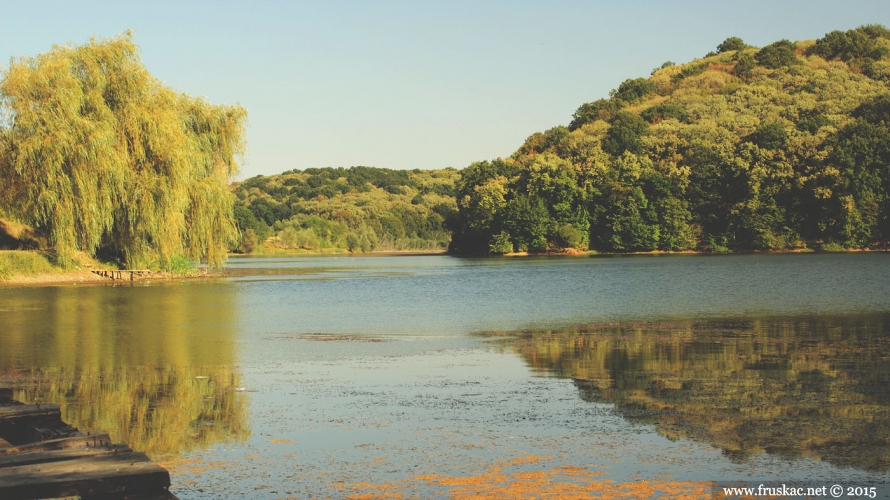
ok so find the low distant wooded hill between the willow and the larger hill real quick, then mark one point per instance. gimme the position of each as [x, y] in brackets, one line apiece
[356, 208]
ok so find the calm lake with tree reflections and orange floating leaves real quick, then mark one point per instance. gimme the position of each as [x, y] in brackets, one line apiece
[435, 376]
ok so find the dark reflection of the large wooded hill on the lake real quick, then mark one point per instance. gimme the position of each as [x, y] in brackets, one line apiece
[794, 387]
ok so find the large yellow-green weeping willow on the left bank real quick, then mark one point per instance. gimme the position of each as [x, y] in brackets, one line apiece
[101, 155]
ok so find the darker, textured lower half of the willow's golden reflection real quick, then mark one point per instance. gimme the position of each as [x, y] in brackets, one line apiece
[160, 411]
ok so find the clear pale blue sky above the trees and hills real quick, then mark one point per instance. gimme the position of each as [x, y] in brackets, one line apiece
[411, 84]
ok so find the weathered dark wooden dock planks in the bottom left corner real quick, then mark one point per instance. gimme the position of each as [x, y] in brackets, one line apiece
[43, 457]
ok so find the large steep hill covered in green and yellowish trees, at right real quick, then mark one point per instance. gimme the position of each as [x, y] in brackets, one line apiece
[780, 147]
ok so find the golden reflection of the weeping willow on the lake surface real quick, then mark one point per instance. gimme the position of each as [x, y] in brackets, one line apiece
[151, 365]
